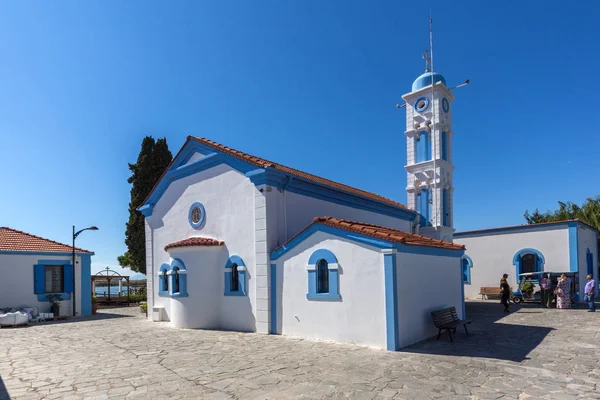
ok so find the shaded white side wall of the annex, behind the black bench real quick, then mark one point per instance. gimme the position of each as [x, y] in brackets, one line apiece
[425, 284]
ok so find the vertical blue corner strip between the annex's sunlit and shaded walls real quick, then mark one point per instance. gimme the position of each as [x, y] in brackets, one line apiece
[391, 302]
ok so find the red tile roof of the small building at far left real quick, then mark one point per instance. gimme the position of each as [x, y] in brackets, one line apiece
[14, 240]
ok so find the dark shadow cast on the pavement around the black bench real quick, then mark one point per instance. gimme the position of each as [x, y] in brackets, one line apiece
[490, 335]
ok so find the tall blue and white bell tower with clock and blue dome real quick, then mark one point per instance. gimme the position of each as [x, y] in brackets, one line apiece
[429, 154]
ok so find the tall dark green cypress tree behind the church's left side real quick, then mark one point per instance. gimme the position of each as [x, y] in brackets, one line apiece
[153, 159]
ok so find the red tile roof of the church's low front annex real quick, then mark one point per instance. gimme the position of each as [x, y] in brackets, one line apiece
[383, 233]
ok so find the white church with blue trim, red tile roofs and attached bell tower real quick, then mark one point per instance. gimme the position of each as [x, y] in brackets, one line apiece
[237, 242]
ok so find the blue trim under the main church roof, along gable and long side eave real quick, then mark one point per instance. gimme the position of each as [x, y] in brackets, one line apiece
[272, 177]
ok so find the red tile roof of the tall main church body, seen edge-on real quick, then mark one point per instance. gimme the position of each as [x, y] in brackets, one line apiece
[263, 163]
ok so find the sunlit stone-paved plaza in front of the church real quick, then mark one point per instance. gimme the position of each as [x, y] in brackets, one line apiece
[533, 353]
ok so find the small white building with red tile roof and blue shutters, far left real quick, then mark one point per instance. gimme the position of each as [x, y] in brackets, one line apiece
[32, 267]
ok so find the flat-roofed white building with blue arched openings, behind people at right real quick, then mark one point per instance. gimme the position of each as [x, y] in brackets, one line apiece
[566, 246]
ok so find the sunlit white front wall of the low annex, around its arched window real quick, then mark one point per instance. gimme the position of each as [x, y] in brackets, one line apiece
[359, 317]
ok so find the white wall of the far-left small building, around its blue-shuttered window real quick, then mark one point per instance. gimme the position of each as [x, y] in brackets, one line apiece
[16, 285]
